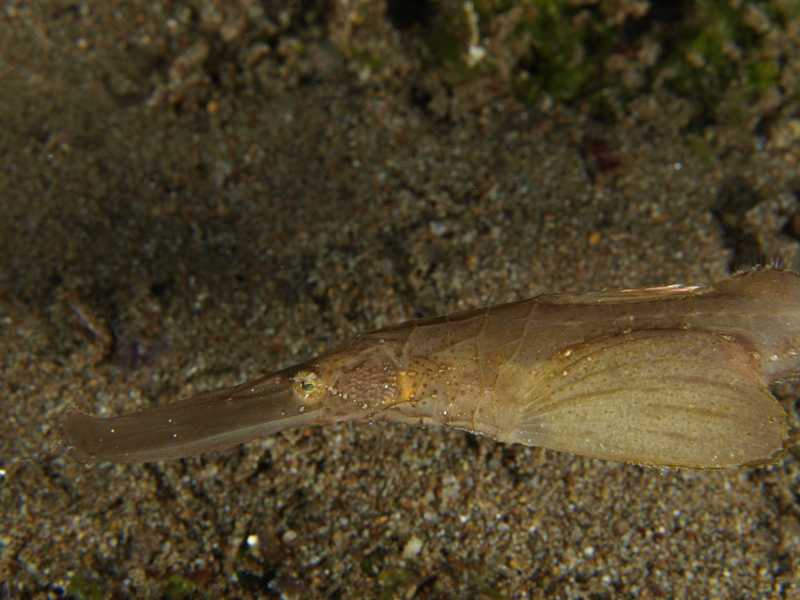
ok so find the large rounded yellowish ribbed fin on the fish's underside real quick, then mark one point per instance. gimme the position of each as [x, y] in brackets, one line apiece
[677, 398]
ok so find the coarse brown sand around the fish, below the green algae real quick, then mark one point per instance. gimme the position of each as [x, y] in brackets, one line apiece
[175, 219]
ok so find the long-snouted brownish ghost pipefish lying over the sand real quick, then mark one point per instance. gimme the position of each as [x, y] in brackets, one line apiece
[673, 377]
